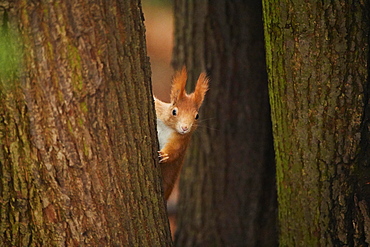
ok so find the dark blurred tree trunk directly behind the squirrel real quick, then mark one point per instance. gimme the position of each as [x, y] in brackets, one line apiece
[227, 188]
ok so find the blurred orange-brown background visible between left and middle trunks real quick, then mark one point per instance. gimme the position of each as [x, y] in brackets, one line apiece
[159, 25]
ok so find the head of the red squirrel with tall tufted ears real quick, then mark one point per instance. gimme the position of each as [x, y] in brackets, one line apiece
[183, 112]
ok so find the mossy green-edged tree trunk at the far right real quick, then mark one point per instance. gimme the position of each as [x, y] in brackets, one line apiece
[317, 58]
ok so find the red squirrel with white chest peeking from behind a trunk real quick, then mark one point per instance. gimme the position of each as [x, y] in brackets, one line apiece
[176, 121]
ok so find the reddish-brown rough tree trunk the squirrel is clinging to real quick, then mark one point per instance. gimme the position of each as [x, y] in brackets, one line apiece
[77, 127]
